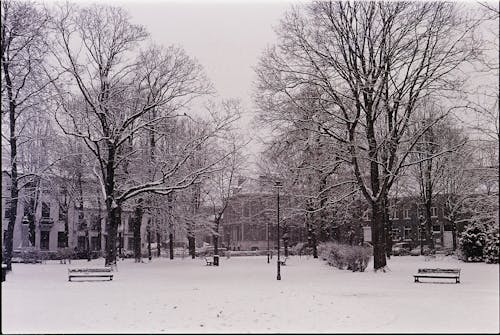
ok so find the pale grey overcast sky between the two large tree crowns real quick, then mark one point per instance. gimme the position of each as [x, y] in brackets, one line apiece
[227, 38]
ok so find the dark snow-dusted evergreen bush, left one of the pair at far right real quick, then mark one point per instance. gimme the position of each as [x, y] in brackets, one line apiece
[472, 242]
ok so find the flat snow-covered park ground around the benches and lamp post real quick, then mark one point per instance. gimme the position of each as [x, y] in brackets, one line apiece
[243, 295]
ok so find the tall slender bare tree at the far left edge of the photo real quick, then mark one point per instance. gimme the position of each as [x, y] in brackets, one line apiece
[24, 47]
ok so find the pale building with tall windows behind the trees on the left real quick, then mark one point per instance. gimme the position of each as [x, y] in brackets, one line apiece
[43, 211]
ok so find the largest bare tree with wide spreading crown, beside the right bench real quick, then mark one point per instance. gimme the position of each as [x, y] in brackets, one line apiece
[370, 63]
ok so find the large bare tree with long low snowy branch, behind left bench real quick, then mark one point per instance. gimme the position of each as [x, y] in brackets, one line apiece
[119, 91]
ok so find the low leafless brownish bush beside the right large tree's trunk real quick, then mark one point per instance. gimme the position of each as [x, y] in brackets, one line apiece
[343, 256]
